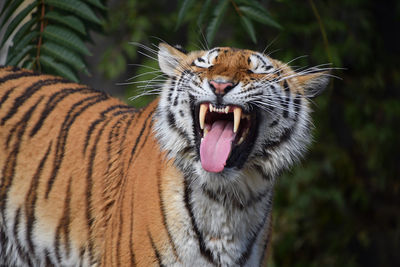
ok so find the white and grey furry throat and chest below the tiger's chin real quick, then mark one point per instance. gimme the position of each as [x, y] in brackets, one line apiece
[232, 225]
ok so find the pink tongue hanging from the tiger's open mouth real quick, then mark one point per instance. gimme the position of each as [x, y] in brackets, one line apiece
[216, 146]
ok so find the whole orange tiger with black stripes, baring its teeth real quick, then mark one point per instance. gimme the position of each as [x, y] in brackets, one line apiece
[87, 180]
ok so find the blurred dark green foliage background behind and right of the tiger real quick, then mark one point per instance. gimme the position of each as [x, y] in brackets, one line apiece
[340, 206]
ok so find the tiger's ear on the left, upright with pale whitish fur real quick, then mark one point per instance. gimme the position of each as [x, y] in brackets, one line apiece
[169, 58]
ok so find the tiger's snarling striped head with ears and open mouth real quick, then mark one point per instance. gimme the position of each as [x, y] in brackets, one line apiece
[226, 111]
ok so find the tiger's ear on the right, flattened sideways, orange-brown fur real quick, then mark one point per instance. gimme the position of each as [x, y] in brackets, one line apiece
[315, 83]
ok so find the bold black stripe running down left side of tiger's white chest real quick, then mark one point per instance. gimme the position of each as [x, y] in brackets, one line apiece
[203, 249]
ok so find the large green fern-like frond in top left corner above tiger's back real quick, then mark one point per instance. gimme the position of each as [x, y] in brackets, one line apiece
[50, 35]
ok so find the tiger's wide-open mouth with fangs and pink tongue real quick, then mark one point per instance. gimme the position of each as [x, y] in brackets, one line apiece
[225, 135]
